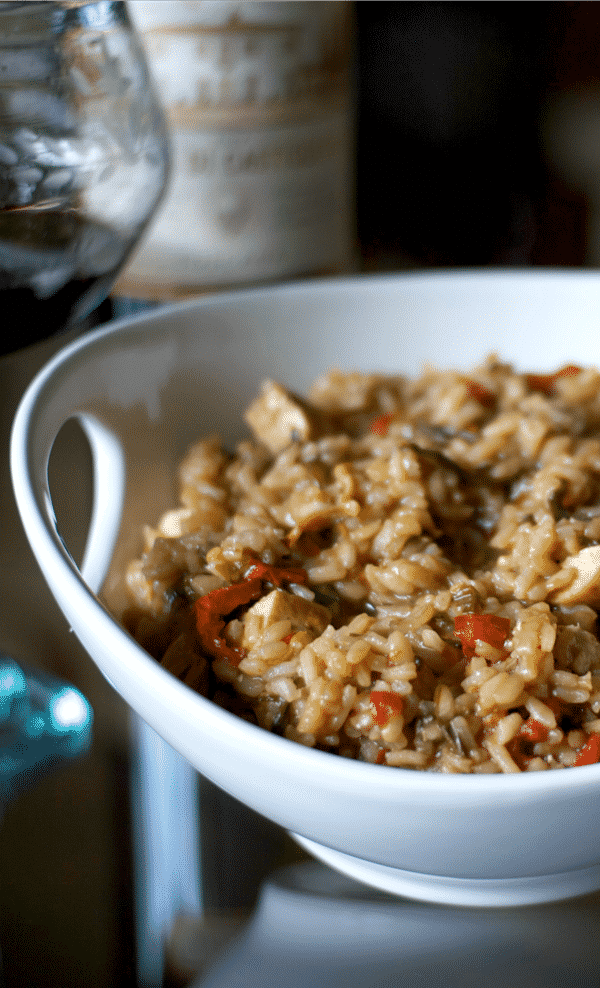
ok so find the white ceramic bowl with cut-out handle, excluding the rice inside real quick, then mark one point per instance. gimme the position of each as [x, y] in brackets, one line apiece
[144, 388]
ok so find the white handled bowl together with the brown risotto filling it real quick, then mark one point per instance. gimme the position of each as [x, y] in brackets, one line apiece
[348, 536]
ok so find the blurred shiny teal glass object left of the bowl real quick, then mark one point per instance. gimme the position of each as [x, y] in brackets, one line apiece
[43, 723]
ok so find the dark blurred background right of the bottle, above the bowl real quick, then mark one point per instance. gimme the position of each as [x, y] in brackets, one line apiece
[464, 110]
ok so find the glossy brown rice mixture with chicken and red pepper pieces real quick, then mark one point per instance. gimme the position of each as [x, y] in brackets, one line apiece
[401, 571]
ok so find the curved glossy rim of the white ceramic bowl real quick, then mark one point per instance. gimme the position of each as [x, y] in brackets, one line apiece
[339, 772]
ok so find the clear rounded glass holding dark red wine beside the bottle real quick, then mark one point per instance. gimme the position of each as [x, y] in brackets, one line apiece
[83, 159]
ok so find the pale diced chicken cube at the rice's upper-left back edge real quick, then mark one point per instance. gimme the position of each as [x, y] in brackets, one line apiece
[276, 418]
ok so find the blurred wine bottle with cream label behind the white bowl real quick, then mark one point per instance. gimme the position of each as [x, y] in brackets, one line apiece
[260, 102]
